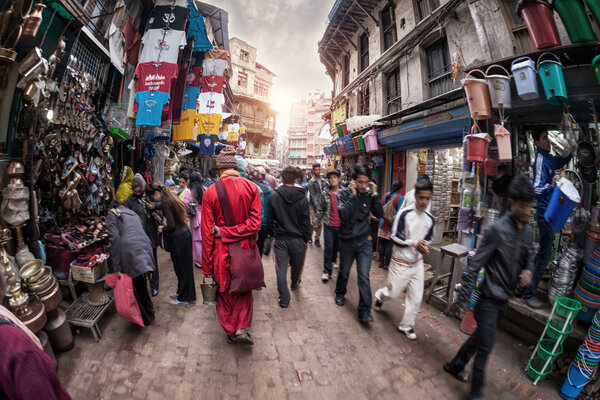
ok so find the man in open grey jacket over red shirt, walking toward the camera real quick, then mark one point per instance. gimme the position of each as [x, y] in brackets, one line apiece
[327, 213]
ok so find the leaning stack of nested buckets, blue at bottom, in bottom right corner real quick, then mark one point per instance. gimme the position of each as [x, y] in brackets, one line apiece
[586, 361]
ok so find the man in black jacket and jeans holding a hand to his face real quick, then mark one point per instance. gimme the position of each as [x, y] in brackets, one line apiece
[355, 203]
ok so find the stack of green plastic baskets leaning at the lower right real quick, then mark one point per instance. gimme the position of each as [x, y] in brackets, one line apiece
[549, 347]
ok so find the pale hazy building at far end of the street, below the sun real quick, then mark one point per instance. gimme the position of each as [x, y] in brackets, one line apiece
[305, 138]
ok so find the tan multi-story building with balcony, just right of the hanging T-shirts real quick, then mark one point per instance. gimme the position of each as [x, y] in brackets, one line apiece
[251, 84]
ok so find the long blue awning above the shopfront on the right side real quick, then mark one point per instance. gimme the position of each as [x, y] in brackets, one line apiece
[436, 130]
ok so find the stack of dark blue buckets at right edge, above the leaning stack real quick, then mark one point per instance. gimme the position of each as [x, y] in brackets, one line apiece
[588, 288]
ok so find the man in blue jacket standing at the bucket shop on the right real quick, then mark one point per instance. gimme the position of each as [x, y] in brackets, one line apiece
[544, 181]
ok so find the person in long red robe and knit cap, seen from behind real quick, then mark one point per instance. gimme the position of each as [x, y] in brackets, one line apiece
[233, 310]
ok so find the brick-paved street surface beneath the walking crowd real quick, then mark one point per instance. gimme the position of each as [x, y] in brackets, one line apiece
[312, 350]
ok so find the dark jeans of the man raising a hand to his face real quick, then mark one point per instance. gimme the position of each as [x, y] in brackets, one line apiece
[363, 253]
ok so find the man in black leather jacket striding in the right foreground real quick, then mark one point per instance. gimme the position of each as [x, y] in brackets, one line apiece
[506, 254]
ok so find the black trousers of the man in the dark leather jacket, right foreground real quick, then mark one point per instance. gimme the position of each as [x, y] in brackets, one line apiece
[488, 314]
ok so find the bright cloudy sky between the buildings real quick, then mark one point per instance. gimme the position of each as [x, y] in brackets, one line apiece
[285, 33]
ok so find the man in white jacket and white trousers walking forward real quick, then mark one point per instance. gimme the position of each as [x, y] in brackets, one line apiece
[411, 233]
